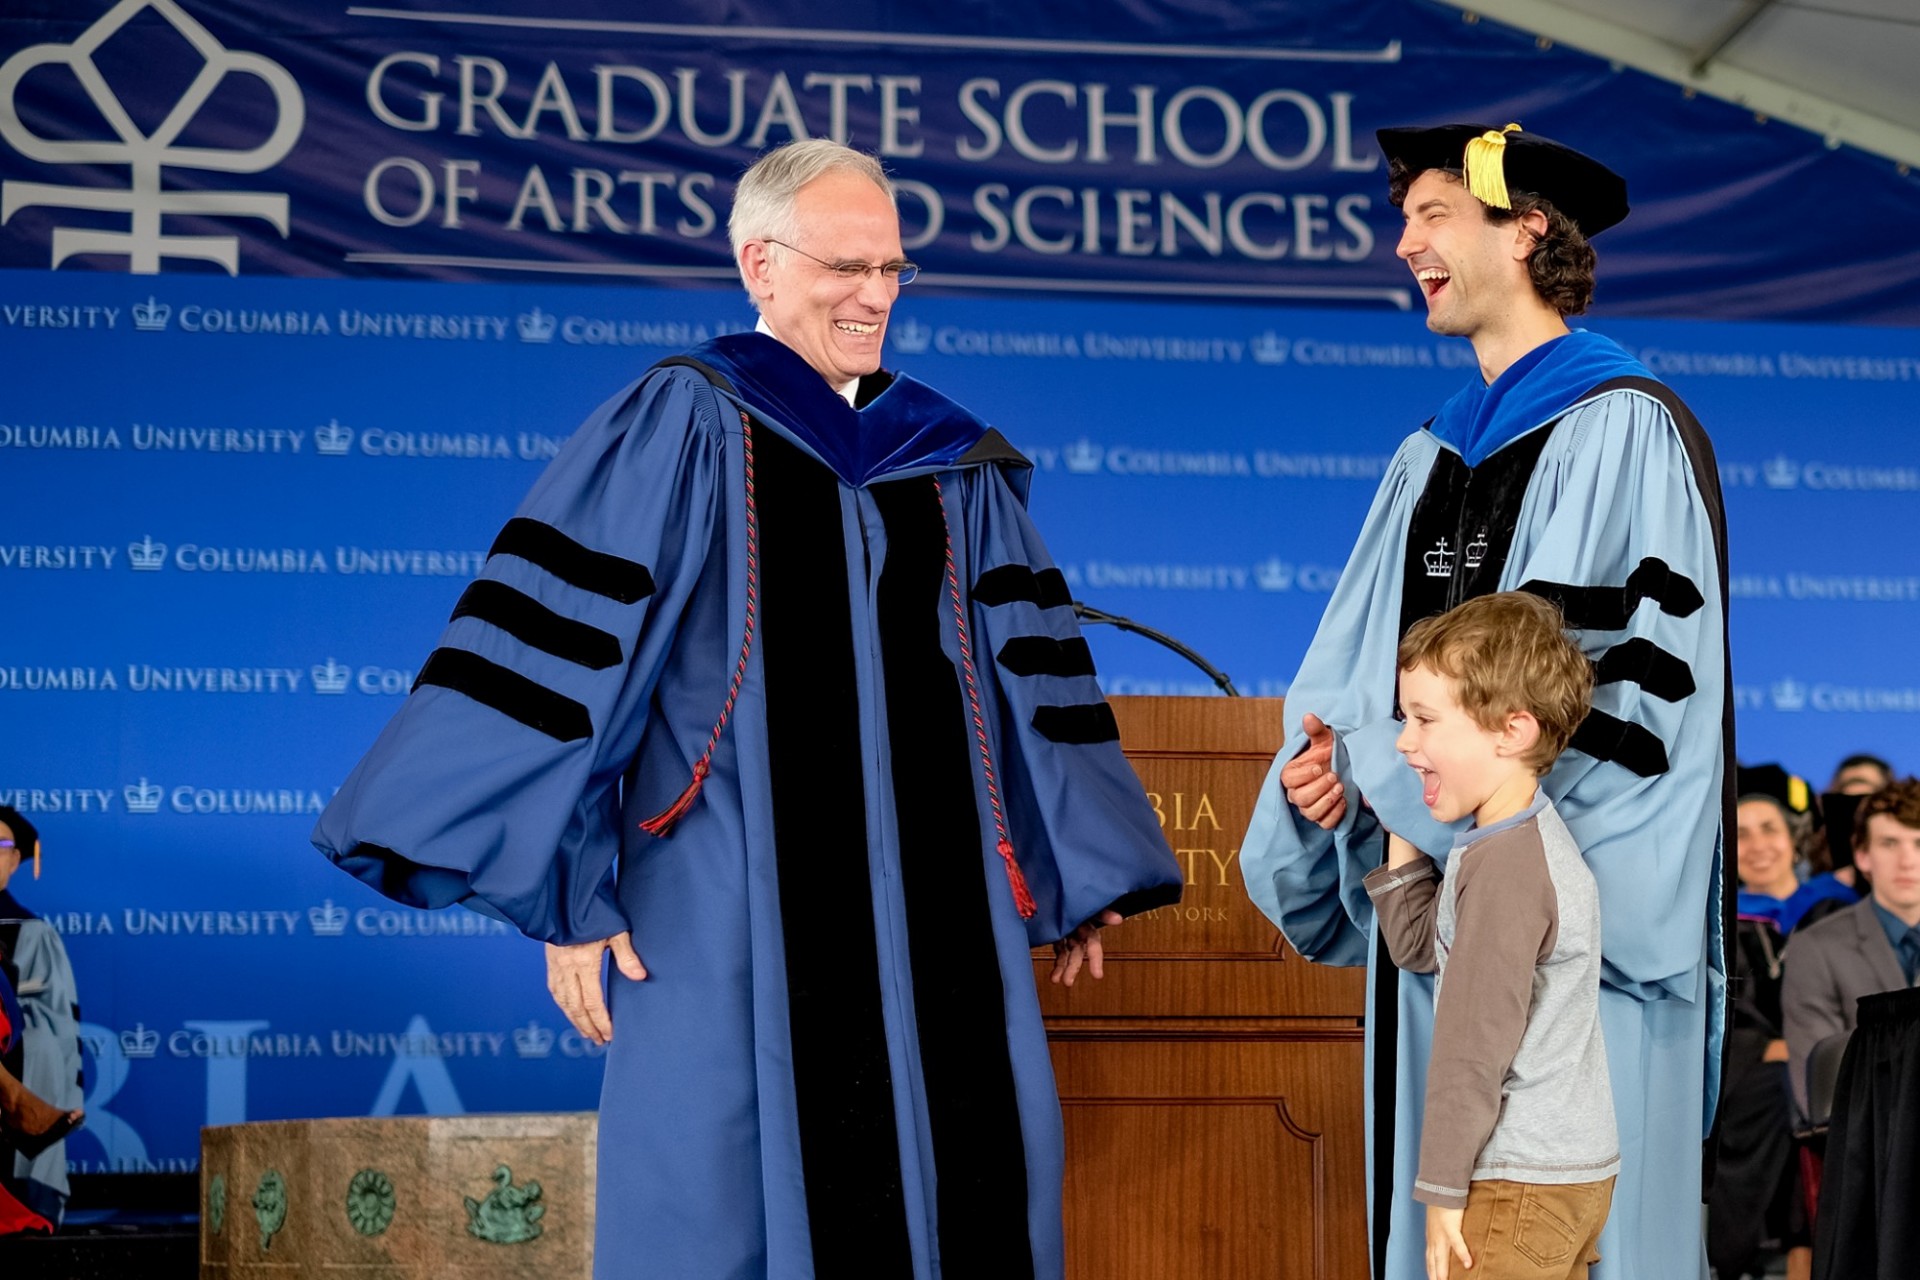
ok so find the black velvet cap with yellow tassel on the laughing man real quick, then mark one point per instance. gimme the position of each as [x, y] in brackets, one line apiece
[1497, 162]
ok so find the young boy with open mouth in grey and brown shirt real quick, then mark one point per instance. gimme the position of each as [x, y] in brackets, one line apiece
[1520, 1149]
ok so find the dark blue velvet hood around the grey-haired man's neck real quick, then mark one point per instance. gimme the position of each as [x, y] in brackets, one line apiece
[905, 429]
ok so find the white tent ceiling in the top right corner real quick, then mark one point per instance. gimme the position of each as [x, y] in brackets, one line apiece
[1848, 70]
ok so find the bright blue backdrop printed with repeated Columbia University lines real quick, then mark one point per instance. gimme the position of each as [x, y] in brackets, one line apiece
[243, 510]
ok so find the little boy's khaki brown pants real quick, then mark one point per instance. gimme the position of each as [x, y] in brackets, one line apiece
[1531, 1231]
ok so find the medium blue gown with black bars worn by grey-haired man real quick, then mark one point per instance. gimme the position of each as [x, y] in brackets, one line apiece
[836, 1064]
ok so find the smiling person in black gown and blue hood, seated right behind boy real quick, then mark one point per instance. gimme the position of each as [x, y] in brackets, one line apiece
[1752, 1208]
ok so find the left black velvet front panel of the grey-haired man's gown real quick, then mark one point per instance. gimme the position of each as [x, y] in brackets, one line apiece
[850, 1145]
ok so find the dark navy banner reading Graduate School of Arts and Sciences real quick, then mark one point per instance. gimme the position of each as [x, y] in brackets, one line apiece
[1197, 149]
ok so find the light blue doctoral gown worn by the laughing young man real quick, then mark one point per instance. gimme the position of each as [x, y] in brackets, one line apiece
[1618, 483]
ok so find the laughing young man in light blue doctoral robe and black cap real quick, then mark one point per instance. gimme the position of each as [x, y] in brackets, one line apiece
[1566, 469]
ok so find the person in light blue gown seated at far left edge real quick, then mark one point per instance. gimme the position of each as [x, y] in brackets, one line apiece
[36, 964]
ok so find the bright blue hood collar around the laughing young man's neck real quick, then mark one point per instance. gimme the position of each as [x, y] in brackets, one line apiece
[1537, 389]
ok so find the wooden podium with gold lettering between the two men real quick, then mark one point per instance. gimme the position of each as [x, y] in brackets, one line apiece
[1212, 1083]
